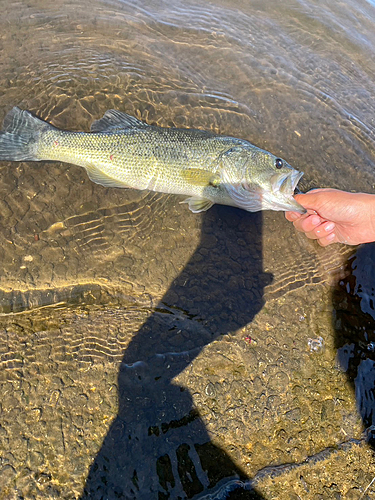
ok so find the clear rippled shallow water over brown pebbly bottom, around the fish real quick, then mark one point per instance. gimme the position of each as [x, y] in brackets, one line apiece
[148, 352]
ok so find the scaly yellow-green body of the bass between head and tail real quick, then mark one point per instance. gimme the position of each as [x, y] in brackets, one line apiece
[139, 158]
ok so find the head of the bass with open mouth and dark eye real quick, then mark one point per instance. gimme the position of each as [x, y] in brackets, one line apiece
[264, 182]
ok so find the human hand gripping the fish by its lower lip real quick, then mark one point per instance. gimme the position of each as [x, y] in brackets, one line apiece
[335, 216]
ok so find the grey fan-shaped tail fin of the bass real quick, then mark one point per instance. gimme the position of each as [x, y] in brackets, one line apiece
[20, 136]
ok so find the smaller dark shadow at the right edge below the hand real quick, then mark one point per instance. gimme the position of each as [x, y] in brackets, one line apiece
[354, 323]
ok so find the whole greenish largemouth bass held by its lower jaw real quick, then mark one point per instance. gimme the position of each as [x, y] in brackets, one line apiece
[124, 152]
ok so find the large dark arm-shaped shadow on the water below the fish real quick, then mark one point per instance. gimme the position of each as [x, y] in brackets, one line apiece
[158, 446]
